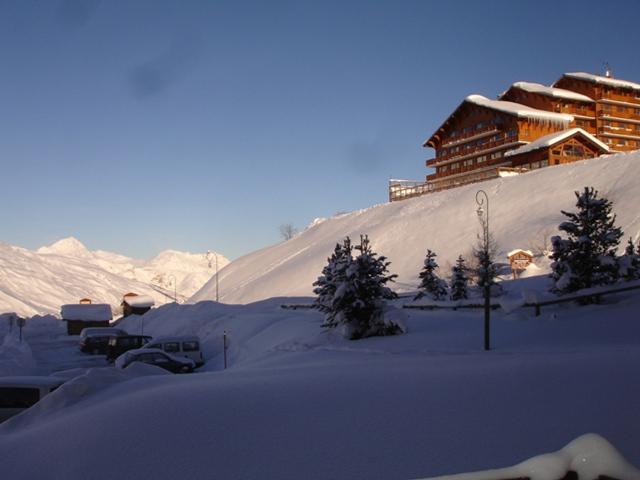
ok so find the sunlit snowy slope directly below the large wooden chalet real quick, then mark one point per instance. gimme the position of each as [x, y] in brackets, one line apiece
[524, 210]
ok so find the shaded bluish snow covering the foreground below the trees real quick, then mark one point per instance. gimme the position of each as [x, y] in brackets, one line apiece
[299, 402]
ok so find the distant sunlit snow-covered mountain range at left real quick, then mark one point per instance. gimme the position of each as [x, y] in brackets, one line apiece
[37, 282]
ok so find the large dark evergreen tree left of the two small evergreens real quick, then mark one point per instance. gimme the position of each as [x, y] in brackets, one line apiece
[360, 290]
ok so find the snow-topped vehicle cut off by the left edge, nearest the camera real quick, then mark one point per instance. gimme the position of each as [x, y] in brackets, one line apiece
[19, 393]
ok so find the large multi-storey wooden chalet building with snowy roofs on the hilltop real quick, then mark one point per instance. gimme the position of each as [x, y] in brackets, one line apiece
[530, 126]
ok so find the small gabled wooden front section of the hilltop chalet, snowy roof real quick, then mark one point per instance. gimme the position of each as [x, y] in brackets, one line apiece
[557, 148]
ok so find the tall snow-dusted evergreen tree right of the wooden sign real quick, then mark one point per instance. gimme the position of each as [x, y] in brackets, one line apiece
[587, 257]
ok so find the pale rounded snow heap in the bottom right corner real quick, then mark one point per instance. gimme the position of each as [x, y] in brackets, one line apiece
[588, 457]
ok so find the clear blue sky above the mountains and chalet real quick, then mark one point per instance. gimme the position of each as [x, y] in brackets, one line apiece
[138, 126]
